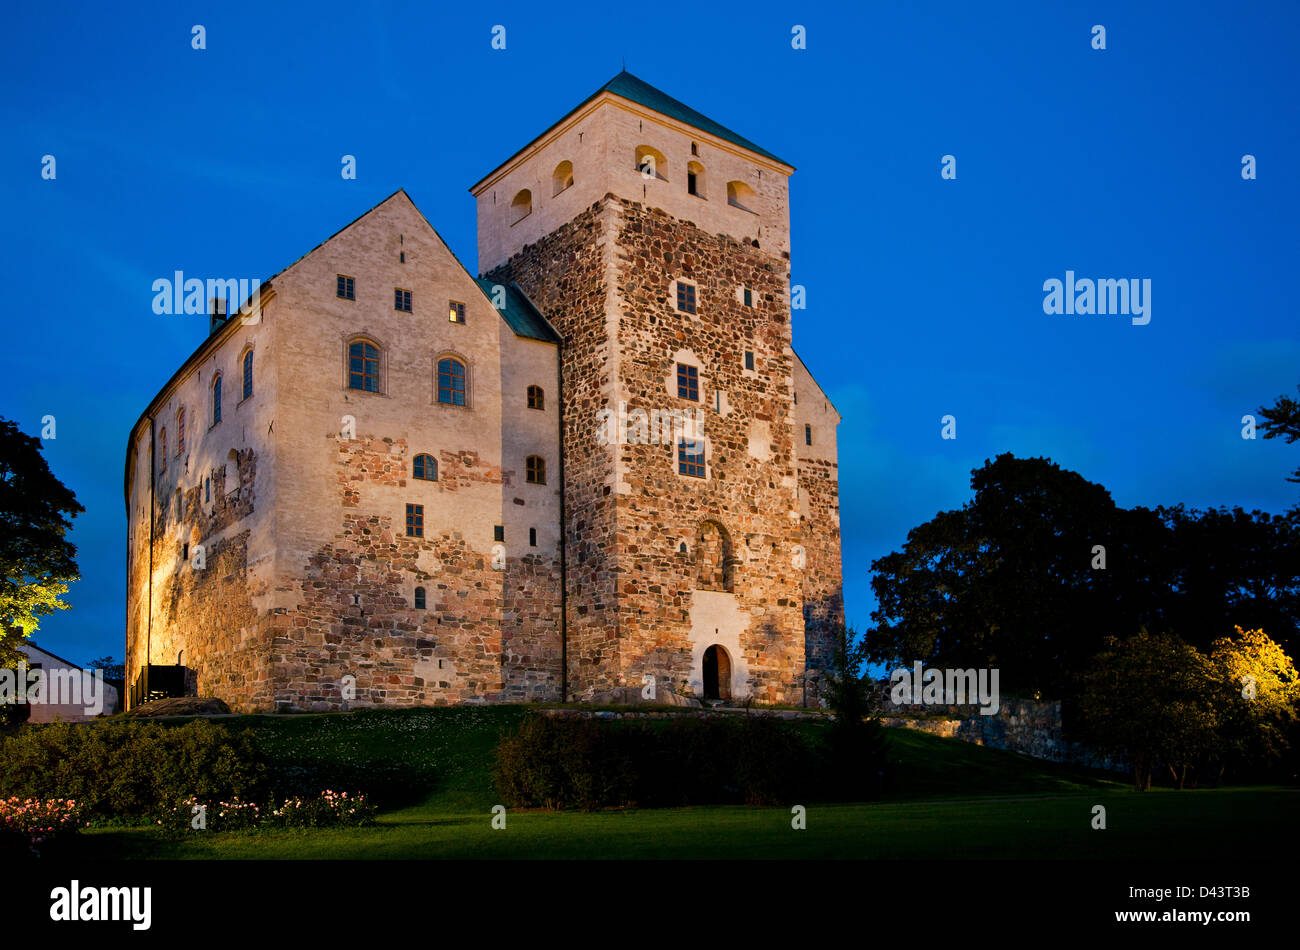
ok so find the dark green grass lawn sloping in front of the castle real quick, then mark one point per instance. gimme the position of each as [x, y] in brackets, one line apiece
[950, 800]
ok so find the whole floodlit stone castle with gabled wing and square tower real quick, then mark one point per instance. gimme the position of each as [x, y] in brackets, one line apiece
[599, 465]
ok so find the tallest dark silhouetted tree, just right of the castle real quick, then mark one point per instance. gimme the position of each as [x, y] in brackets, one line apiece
[1009, 582]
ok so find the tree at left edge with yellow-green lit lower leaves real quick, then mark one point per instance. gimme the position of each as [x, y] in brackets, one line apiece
[37, 561]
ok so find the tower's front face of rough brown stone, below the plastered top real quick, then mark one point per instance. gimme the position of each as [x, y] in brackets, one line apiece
[749, 489]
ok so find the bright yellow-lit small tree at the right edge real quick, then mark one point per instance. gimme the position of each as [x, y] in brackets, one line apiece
[1260, 699]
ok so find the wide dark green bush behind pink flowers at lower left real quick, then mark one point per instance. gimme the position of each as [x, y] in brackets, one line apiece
[131, 773]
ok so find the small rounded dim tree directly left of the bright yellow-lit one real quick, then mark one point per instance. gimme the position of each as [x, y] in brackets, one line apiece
[1156, 701]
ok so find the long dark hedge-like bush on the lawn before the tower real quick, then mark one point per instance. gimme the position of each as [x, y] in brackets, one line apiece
[580, 764]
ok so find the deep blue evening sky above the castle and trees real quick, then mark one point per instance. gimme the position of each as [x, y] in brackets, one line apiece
[925, 296]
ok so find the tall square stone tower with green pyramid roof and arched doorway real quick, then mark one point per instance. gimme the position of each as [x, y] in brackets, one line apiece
[657, 244]
